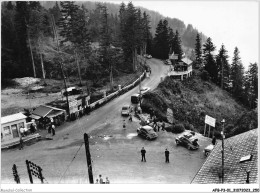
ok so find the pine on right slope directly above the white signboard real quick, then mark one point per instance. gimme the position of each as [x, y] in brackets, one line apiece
[209, 61]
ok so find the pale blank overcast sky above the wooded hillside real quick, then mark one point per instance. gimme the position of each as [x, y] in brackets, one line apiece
[233, 23]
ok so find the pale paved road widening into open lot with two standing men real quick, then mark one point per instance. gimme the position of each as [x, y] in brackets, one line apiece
[115, 151]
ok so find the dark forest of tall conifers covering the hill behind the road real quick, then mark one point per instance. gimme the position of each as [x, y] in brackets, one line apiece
[96, 40]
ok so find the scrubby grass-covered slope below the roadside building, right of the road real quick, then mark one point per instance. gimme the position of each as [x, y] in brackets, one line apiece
[192, 99]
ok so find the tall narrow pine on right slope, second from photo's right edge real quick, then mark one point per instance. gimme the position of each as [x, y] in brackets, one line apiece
[237, 76]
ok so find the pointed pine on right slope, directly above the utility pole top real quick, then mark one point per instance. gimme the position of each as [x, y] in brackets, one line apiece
[223, 68]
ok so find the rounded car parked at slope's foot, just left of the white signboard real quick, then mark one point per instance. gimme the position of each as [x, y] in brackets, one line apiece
[187, 140]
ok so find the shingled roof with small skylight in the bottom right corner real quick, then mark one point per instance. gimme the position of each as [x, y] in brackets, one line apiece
[235, 171]
